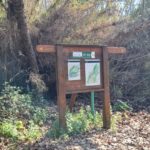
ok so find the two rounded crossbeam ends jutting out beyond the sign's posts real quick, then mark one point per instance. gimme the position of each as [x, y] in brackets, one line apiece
[52, 49]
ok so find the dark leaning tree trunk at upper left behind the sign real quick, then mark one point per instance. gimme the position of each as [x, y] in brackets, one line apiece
[16, 10]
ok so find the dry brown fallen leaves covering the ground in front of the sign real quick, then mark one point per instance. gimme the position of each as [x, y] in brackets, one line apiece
[133, 133]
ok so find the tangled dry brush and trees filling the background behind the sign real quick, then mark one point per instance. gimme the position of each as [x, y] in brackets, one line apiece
[116, 23]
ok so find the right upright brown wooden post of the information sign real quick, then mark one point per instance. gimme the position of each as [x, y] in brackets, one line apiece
[106, 100]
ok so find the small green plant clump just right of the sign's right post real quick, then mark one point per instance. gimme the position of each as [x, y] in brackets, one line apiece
[121, 106]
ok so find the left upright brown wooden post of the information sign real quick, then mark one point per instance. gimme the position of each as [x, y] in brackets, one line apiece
[61, 96]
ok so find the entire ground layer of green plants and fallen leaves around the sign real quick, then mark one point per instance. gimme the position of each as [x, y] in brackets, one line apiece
[30, 123]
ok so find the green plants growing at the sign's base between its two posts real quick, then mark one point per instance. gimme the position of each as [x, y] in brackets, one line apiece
[76, 123]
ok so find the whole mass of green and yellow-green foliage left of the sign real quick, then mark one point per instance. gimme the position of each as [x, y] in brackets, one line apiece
[20, 117]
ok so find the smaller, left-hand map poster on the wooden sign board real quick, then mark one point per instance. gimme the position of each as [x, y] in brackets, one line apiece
[73, 70]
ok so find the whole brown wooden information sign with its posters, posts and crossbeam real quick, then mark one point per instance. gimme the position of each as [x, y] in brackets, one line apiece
[80, 69]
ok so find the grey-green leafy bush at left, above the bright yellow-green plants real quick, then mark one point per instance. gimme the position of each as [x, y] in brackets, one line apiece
[14, 104]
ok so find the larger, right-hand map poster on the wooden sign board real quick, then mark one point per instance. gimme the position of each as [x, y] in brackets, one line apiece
[92, 72]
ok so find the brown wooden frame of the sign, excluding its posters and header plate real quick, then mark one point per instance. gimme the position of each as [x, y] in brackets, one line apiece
[64, 86]
